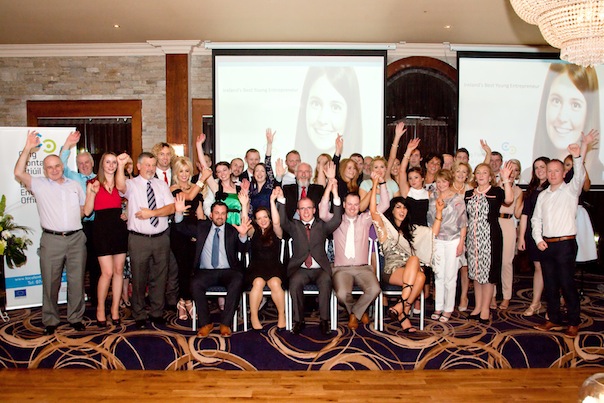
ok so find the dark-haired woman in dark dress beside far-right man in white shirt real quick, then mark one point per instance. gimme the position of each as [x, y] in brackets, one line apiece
[525, 236]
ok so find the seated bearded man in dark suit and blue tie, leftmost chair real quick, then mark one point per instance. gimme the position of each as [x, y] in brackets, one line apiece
[216, 262]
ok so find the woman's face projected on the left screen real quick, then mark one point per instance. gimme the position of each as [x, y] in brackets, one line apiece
[326, 112]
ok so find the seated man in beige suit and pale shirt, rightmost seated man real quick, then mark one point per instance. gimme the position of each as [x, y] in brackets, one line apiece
[351, 257]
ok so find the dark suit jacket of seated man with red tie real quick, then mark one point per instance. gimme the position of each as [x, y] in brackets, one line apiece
[318, 234]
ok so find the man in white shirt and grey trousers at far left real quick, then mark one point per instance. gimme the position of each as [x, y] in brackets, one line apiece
[60, 202]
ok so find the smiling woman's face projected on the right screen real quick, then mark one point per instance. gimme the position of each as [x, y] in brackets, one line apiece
[565, 112]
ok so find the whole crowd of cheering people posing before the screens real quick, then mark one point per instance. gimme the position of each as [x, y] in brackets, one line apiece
[185, 233]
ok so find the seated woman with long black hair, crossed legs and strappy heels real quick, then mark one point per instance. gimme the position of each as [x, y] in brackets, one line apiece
[403, 246]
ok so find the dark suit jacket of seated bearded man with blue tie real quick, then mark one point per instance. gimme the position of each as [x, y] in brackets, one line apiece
[201, 231]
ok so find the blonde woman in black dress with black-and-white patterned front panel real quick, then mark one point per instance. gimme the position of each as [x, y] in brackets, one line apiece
[484, 240]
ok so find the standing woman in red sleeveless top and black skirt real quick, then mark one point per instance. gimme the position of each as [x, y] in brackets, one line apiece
[110, 236]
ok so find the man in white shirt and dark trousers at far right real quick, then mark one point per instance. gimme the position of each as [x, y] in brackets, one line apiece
[554, 231]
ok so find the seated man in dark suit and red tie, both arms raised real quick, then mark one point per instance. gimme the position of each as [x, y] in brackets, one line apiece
[309, 262]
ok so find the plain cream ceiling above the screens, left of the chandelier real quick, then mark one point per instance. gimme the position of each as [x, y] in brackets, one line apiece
[377, 21]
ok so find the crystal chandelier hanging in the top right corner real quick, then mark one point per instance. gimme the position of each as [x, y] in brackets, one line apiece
[576, 27]
